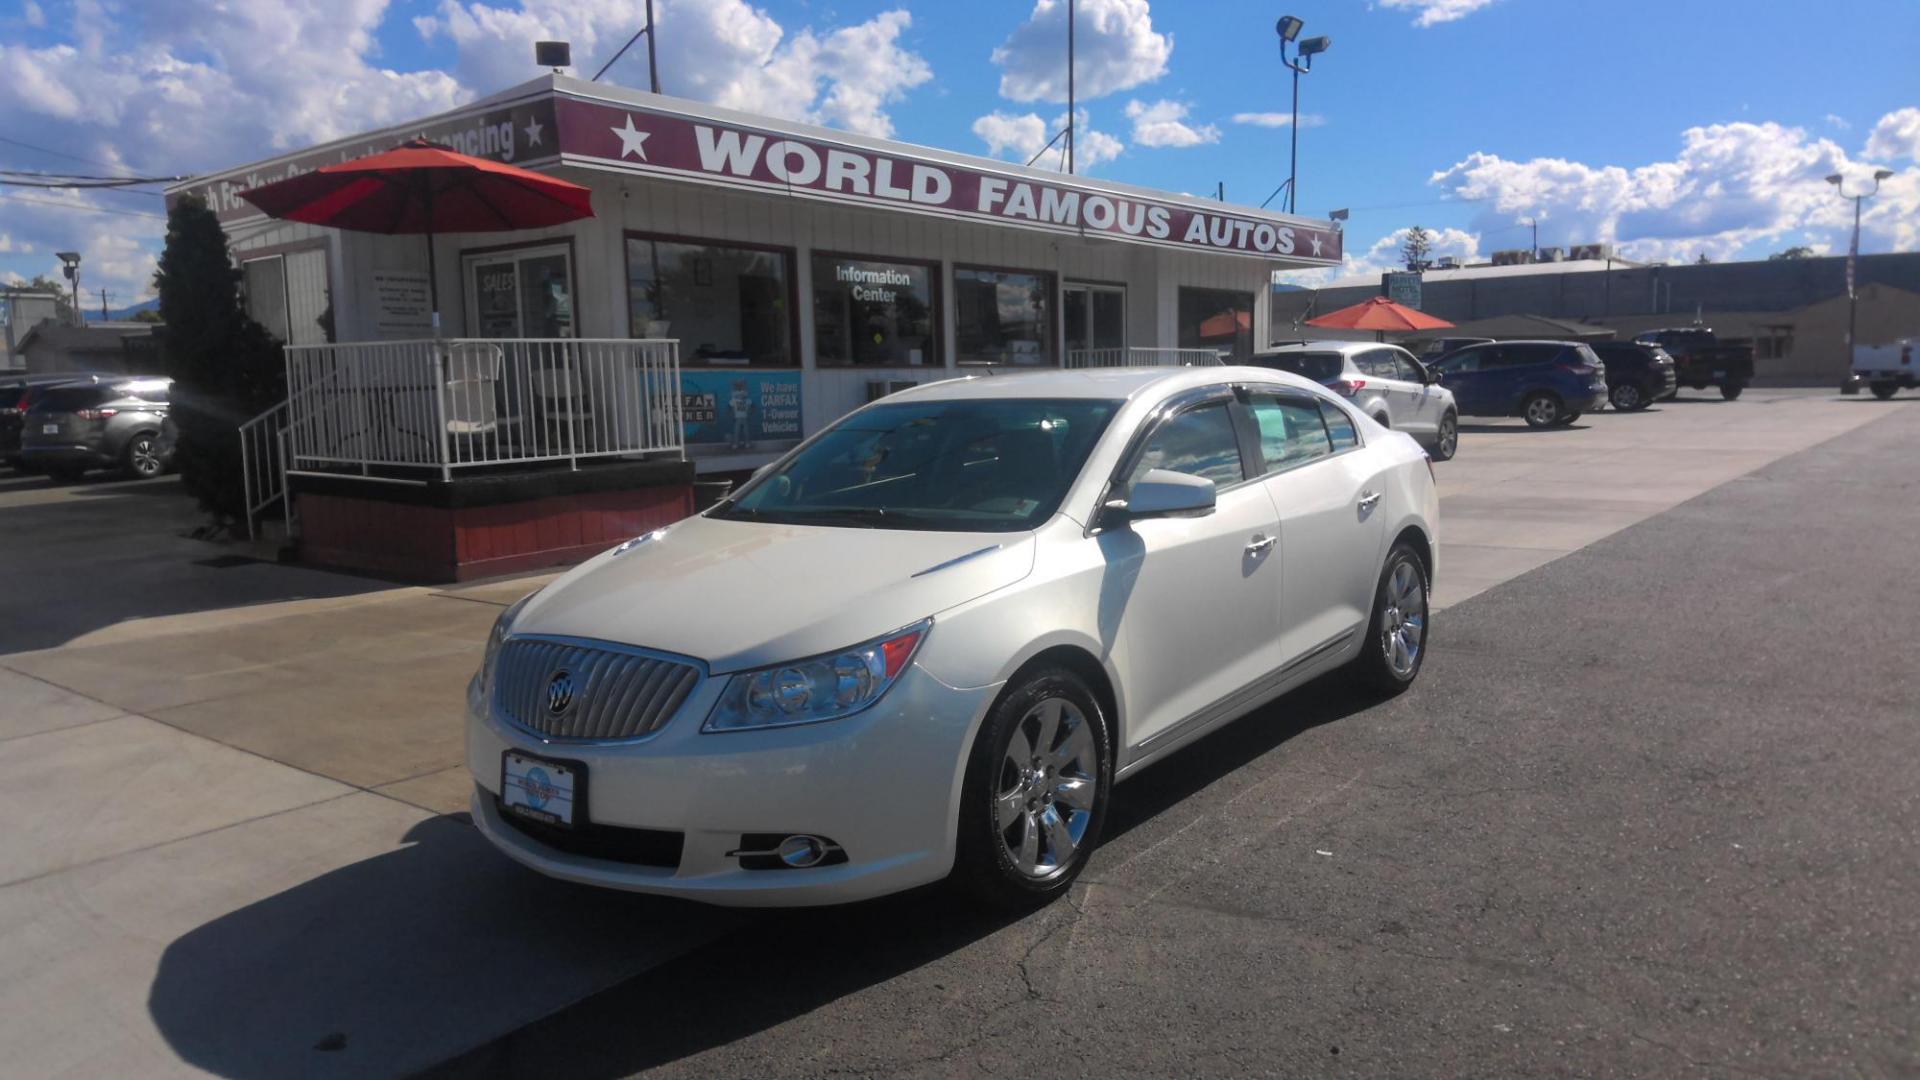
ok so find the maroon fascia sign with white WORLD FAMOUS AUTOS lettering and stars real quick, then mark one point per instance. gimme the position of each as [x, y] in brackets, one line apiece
[742, 157]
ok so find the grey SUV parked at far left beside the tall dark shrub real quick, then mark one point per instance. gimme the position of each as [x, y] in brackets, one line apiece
[103, 424]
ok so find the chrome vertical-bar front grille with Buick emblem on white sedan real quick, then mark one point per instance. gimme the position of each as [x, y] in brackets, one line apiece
[606, 695]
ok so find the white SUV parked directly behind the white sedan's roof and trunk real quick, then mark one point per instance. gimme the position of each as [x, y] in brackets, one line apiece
[1383, 381]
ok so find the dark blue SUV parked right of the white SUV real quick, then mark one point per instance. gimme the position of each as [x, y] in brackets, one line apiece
[1547, 383]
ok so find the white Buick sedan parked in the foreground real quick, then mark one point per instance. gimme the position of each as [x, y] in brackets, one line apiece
[934, 637]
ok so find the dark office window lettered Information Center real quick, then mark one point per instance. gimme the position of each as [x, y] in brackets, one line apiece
[875, 312]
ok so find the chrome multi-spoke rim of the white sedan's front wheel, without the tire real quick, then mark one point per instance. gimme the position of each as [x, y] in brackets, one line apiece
[1047, 785]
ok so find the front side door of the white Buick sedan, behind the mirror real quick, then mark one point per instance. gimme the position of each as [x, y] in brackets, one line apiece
[1193, 604]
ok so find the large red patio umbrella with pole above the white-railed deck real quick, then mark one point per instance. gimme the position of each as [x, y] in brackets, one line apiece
[421, 187]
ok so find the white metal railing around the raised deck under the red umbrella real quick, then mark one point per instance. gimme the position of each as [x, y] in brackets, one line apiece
[454, 405]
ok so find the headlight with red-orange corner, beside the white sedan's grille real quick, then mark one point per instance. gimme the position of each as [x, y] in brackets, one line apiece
[817, 689]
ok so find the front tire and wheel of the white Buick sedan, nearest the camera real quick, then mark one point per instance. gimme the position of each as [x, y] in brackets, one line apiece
[1015, 845]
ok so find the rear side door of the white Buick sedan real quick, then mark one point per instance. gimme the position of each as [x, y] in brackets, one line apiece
[1332, 531]
